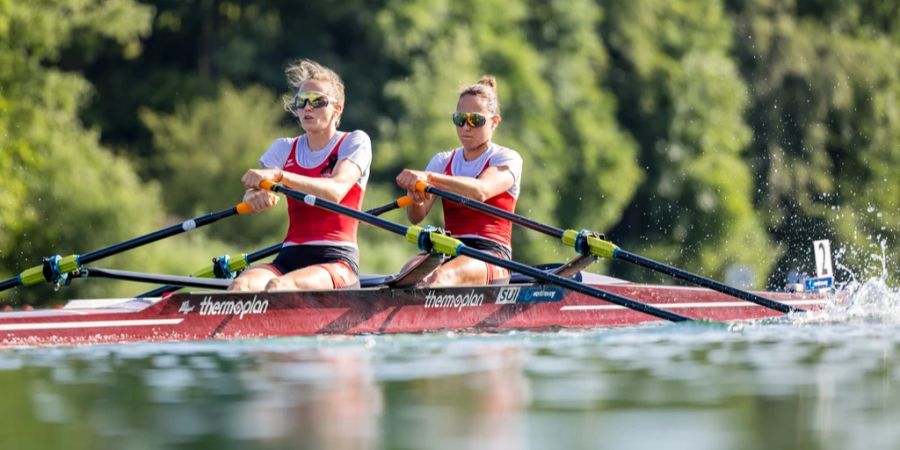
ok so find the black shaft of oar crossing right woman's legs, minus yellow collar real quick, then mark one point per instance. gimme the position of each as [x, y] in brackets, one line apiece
[480, 255]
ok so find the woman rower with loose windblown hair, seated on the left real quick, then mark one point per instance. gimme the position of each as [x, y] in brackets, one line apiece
[319, 251]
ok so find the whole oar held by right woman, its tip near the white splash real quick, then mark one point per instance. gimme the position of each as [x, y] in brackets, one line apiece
[588, 243]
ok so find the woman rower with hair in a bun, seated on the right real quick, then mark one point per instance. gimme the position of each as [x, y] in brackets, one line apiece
[479, 169]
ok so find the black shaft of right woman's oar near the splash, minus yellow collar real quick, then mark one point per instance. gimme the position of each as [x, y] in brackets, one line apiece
[611, 250]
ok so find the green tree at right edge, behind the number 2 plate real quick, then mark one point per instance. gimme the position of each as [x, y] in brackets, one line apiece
[824, 89]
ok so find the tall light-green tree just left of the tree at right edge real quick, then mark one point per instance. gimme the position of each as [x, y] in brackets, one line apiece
[683, 100]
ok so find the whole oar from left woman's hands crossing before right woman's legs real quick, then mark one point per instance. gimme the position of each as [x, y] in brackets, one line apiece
[453, 247]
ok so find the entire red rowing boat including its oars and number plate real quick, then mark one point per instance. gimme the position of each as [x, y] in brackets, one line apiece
[533, 299]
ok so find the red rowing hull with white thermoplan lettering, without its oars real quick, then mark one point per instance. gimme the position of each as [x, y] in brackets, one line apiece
[201, 316]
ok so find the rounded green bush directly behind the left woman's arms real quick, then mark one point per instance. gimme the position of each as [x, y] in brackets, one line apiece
[203, 149]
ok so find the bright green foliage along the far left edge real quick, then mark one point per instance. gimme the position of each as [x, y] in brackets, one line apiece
[68, 194]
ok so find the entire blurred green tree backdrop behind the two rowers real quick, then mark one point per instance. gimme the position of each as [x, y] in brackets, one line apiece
[718, 136]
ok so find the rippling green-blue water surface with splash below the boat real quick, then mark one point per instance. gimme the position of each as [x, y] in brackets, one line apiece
[829, 380]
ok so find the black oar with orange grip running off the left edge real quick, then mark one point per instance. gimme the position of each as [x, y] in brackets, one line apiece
[56, 267]
